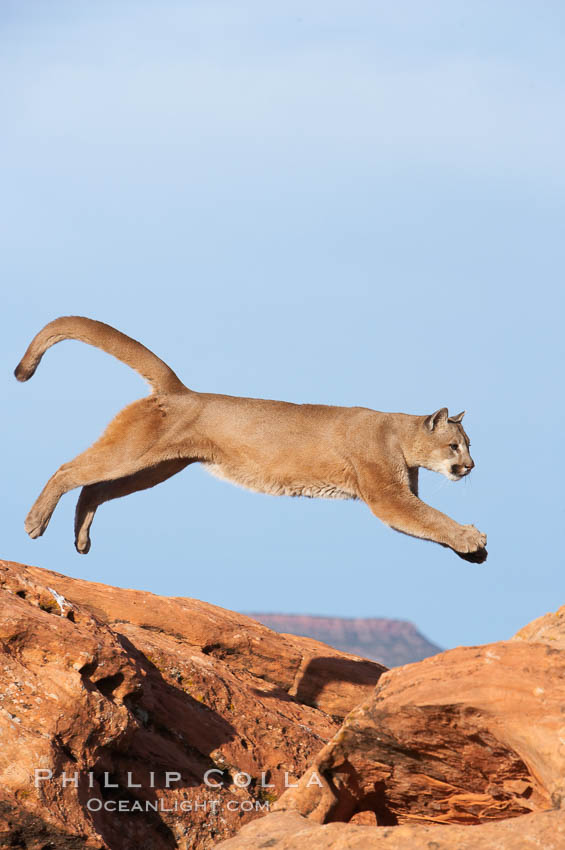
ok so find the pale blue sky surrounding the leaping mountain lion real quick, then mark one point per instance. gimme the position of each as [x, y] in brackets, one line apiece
[351, 203]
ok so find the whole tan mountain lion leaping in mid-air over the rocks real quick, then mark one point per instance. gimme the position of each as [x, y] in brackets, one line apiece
[269, 446]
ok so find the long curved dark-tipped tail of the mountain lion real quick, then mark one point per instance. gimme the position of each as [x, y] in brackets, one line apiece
[128, 350]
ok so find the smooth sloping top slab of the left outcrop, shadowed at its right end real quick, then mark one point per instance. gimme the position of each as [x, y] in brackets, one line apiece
[319, 675]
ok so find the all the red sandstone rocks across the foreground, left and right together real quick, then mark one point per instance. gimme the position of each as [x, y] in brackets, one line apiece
[132, 700]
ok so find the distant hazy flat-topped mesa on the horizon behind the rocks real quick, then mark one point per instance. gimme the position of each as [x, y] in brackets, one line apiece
[390, 642]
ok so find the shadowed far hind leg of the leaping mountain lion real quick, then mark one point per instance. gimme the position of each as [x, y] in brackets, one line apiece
[94, 495]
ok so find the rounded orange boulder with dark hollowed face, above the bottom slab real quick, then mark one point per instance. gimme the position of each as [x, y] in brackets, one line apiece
[469, 736]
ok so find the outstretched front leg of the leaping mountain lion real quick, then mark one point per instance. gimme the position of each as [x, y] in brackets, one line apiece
[405, 512]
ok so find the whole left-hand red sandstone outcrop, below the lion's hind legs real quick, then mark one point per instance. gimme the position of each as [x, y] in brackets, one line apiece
[105, 681]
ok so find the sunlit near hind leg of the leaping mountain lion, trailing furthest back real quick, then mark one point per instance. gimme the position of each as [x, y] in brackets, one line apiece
[123, 449]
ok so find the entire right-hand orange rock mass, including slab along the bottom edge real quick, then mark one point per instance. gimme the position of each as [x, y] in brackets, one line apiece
[465, 749]
